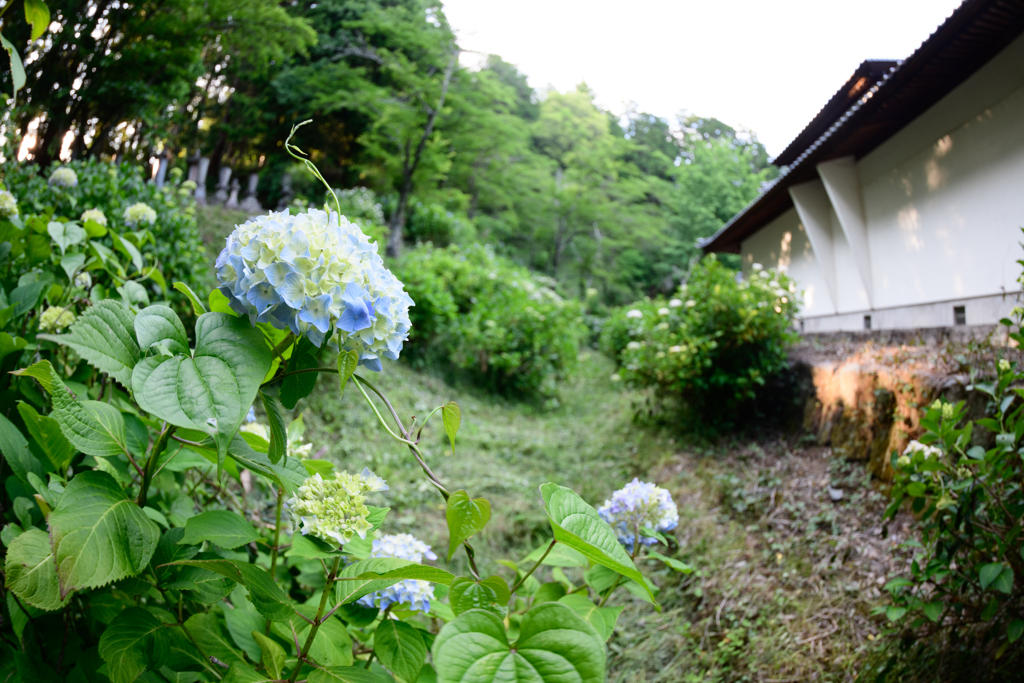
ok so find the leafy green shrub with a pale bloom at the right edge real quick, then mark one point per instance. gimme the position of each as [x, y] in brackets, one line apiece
[966, 585]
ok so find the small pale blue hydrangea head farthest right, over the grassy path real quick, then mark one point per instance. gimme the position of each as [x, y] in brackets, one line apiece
[639, 505]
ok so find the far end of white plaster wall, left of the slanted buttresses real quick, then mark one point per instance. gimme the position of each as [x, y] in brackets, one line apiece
[784, 244]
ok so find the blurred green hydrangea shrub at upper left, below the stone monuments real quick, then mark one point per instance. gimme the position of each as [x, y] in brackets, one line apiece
[177, 245]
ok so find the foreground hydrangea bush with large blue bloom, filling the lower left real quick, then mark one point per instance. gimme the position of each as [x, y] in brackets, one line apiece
[156, 531]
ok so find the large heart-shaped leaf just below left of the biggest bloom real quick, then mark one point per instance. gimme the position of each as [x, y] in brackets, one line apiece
[212, 391]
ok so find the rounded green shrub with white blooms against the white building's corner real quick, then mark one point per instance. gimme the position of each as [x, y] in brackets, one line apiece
[713, 345]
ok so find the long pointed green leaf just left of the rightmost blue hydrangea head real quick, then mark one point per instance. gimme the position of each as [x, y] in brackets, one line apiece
[579, 527]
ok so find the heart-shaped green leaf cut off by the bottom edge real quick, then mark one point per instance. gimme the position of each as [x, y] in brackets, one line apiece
[554, 645]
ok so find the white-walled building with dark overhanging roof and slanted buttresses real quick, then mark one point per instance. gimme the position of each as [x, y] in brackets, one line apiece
[902, 204]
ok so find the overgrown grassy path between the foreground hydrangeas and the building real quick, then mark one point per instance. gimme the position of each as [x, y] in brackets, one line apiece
[786, 577]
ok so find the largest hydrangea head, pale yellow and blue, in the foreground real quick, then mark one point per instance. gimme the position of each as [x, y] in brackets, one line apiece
[312, 274]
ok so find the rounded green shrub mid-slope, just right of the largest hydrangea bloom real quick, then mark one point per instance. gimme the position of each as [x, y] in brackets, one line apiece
[506, 327]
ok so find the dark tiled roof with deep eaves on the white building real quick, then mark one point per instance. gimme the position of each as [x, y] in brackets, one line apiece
[975, 33]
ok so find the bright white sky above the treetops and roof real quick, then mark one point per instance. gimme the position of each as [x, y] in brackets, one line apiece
[766, 66]
